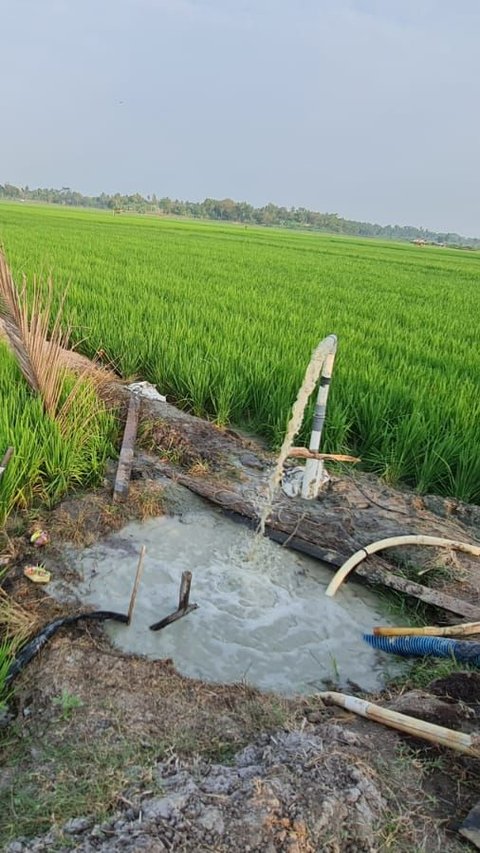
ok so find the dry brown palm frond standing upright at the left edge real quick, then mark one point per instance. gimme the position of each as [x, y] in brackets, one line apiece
[40, 353]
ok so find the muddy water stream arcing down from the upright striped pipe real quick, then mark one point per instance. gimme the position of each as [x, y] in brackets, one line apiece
[312, 375]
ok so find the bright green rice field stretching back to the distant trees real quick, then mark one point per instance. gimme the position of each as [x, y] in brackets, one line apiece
[223, 319]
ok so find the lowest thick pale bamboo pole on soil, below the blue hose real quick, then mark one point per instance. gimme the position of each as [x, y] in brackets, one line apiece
[439, 735]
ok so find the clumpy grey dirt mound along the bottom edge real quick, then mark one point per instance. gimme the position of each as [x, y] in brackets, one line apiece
[292, 791]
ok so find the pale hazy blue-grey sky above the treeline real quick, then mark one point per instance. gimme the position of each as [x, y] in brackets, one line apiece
[365, 108]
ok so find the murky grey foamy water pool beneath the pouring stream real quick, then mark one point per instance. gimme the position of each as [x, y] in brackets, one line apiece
[266, 621]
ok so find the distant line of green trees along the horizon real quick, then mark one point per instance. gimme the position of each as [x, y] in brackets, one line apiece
[227, 210]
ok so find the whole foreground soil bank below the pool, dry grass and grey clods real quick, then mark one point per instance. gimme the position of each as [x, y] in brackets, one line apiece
[182, 765]
